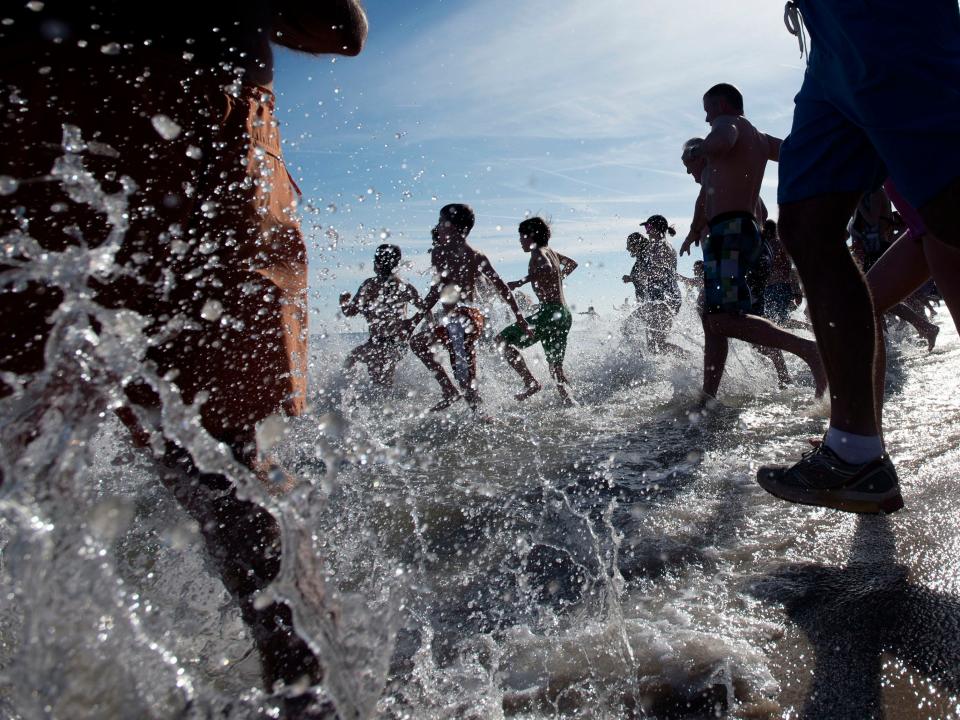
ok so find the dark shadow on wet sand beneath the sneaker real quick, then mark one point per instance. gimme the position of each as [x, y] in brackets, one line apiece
[856, 614]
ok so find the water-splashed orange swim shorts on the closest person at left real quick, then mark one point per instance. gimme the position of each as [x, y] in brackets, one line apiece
[213, 257]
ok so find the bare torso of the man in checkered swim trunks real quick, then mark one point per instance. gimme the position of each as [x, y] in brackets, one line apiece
[731, 180]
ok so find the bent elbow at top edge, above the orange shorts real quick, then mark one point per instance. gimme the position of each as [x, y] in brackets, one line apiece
[333, 26]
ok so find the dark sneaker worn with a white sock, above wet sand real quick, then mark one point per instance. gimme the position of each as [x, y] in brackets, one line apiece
[822, 478]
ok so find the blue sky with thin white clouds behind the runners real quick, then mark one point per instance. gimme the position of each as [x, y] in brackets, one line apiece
[575, 111]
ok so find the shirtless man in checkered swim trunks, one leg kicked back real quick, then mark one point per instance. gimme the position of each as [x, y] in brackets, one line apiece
[731, 161]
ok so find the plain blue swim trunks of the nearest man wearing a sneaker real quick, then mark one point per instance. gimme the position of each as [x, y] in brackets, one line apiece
[881, 96]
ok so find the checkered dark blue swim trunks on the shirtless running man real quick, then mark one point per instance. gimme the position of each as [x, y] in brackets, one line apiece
[729, 254]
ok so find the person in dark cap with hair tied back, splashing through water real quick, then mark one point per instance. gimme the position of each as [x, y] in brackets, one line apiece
[654, 278]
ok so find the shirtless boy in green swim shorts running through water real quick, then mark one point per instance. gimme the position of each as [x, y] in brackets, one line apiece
[551, 323]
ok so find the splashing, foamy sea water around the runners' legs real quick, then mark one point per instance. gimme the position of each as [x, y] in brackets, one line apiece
[611, 560]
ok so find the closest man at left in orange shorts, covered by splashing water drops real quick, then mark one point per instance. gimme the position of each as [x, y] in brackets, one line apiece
[177, 97]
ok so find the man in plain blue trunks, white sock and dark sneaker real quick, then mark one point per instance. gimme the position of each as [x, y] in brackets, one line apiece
[866, 61]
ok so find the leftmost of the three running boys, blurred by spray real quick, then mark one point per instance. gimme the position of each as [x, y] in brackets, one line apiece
[383, 301]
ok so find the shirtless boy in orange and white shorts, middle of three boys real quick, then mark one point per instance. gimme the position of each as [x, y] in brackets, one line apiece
[457, 270]
